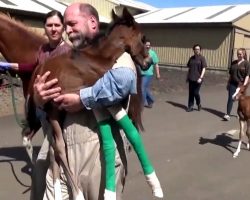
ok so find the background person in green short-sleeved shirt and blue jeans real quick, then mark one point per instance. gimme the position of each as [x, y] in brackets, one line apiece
[147, 77]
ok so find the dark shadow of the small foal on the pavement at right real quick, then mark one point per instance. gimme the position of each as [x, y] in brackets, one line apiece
[222, 140]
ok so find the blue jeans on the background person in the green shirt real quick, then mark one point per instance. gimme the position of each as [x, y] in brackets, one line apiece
[148, 98]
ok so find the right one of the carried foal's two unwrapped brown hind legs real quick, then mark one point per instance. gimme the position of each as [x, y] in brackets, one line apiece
[59, 148]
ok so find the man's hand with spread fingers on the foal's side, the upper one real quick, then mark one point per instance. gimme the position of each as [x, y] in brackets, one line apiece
[43, 91]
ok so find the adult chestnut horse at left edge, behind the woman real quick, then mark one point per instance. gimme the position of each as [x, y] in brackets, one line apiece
[20, 44]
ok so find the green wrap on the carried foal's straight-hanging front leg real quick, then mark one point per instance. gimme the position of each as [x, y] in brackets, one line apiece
[108, 146]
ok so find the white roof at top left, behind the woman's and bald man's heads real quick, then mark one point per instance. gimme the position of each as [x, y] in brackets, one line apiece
[38, 6]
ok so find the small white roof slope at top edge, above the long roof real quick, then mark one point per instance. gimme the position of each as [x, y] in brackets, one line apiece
[134, 4]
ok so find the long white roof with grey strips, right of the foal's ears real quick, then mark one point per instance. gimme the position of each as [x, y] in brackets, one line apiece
[205, 14]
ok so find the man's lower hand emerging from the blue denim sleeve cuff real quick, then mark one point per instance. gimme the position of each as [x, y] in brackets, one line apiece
[69, 102]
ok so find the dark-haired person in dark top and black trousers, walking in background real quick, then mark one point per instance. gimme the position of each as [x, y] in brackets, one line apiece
[196, 70]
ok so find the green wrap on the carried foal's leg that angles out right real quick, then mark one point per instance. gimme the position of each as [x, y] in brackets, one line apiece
[136, 141]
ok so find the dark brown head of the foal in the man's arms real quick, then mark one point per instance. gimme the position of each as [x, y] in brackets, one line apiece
[130, 36]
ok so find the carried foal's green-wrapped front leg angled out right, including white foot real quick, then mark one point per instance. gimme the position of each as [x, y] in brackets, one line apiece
[121, 117]
